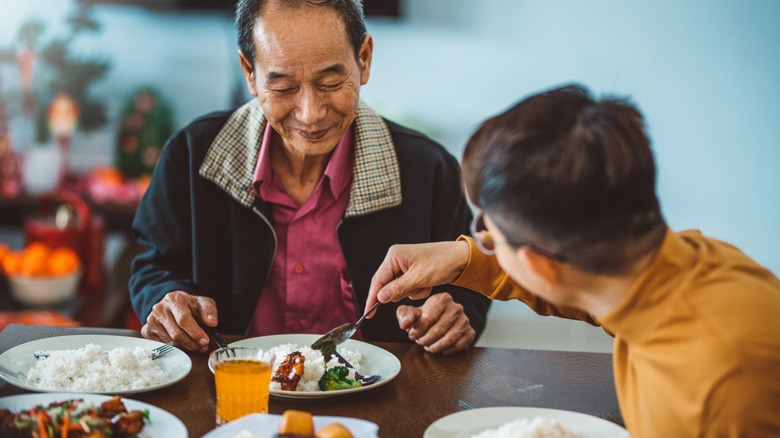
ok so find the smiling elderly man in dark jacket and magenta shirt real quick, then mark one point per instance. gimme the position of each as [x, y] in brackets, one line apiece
[278, 213]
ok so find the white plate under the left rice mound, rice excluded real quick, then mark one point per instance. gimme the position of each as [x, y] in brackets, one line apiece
[17, 361]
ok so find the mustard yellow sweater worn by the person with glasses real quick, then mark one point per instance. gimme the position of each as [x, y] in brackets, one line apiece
[697, 339]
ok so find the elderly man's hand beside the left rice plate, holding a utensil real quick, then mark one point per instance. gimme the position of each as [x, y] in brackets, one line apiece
[177, 317]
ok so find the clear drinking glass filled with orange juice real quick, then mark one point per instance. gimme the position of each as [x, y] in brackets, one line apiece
[242, 376]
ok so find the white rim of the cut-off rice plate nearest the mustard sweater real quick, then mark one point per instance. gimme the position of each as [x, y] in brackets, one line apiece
[517, 412]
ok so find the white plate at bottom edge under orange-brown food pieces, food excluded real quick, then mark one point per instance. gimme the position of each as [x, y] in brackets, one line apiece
[266, 425]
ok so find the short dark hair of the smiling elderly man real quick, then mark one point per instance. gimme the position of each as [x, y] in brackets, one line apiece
[249, 11]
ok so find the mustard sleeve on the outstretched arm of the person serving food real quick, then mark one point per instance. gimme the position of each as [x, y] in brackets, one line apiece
[484, 275]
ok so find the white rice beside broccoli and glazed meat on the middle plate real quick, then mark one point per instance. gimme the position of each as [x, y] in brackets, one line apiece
[314, 366]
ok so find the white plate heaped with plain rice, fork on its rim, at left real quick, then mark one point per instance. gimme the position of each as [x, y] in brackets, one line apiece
[93, 364]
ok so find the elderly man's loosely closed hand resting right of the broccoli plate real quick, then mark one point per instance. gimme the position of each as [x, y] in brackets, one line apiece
[440, 325]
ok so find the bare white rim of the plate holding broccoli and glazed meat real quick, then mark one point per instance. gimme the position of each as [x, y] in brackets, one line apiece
[325, 394]
